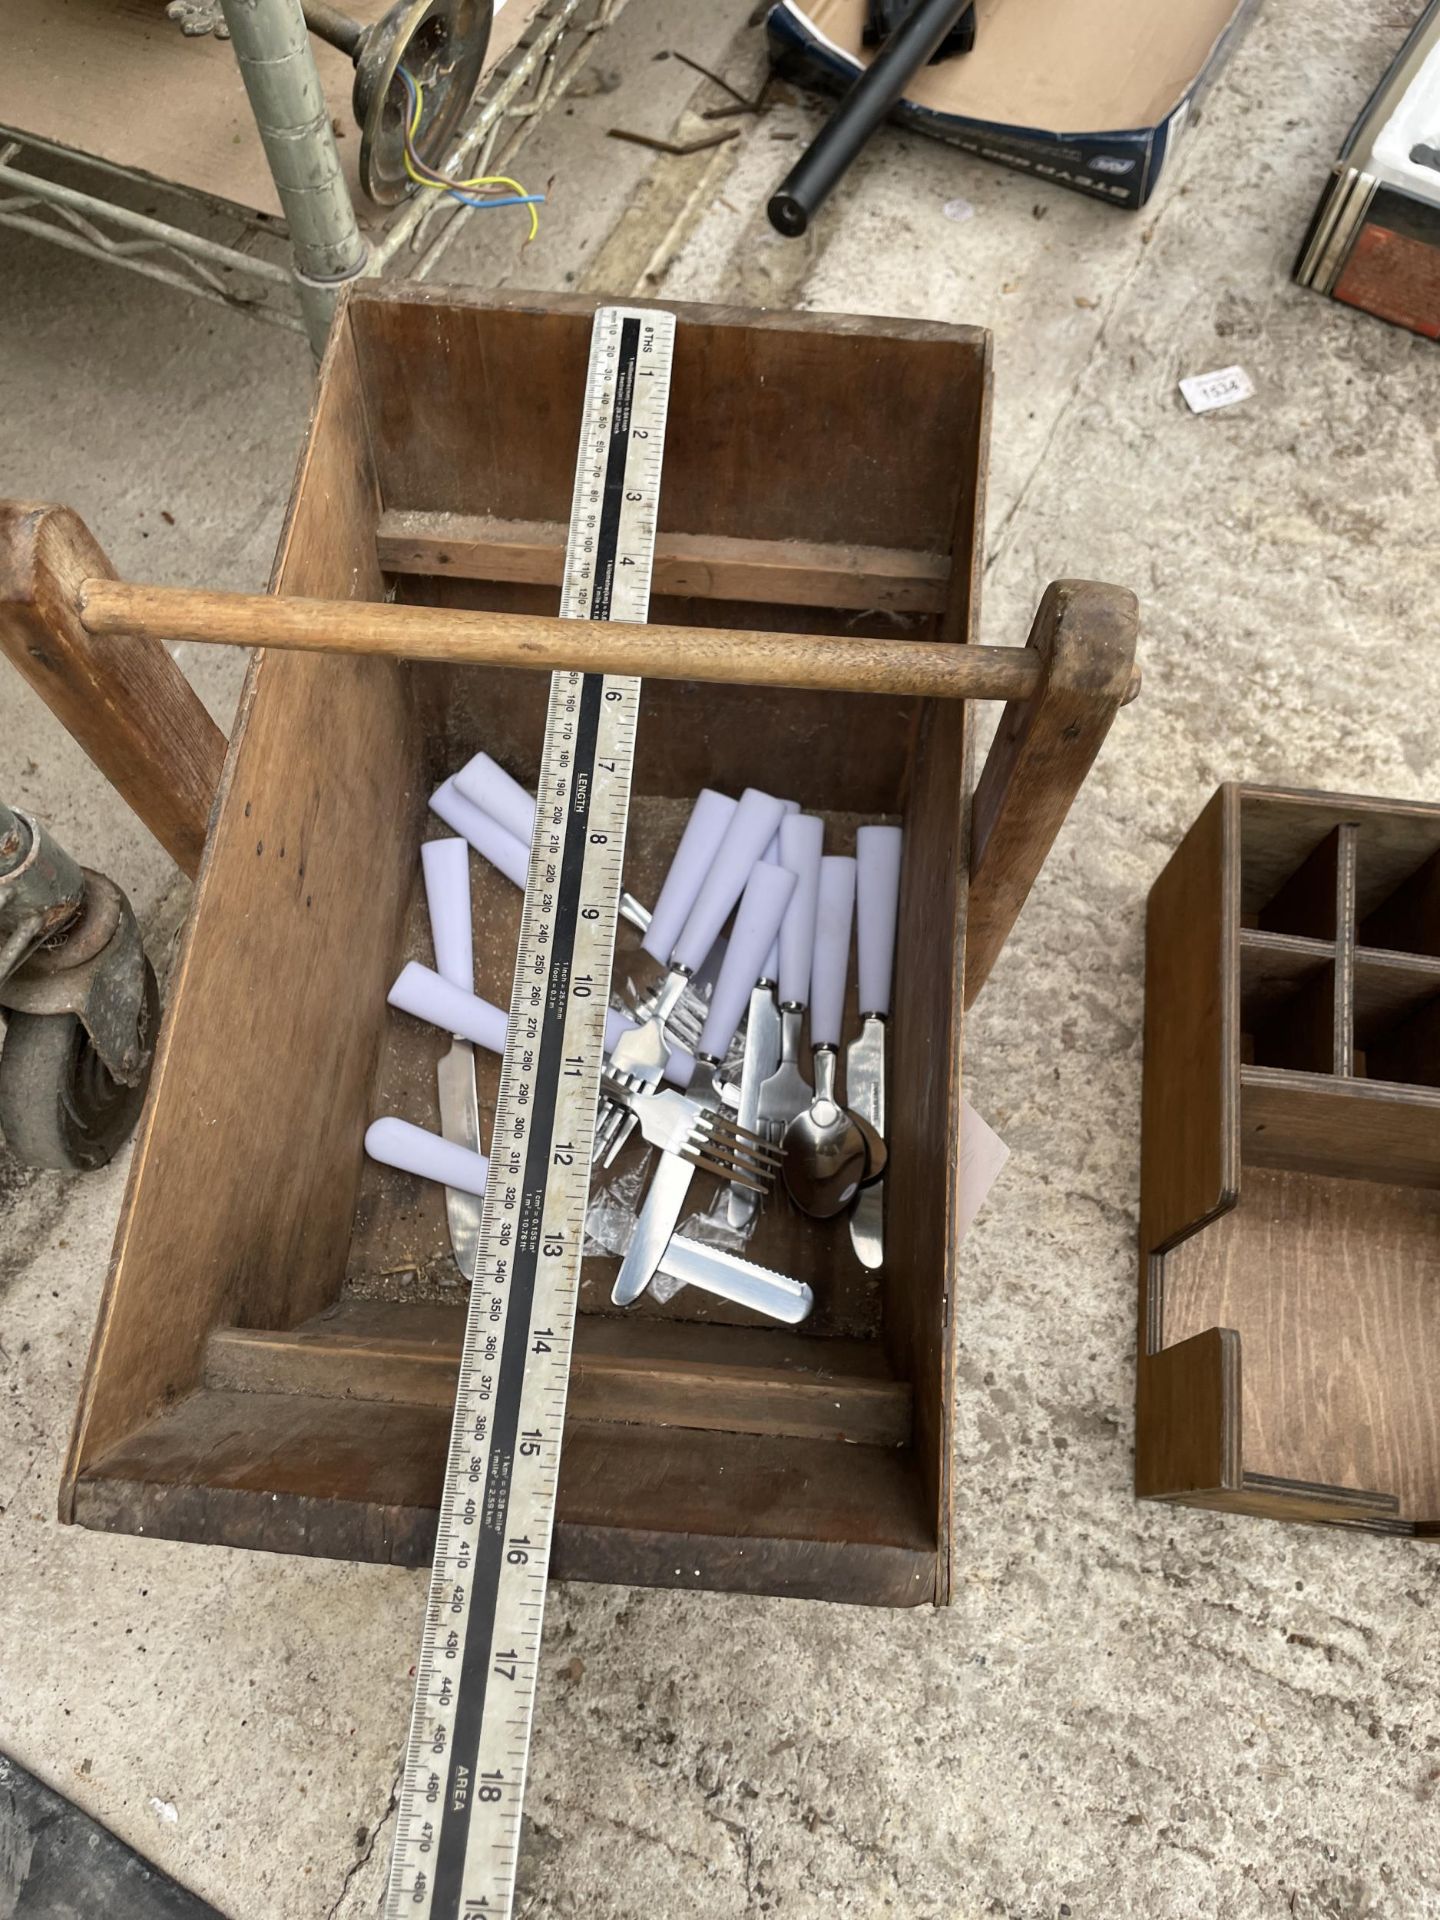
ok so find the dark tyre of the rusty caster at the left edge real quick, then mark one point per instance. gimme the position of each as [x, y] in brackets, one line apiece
[59, 1103]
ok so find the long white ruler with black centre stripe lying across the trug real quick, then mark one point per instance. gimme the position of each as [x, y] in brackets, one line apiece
[458, 1831]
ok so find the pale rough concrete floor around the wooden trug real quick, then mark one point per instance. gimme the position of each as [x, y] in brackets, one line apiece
[1128, 1710]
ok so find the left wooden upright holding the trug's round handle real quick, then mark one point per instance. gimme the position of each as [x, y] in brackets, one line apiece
[124, 700]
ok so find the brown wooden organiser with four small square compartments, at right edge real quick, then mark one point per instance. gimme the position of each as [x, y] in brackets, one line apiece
[1291, 1164]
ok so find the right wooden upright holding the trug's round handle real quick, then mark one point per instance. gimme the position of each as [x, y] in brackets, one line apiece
[1044, 752]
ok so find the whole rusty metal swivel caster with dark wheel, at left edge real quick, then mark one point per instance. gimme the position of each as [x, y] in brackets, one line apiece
[82, 1003]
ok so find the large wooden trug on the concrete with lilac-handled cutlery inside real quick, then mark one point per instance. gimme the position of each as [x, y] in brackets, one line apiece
[277, 1343]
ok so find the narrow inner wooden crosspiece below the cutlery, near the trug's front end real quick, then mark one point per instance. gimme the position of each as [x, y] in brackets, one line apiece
[661, 1374]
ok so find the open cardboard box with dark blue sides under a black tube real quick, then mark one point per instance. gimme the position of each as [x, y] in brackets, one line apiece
[1084, 93]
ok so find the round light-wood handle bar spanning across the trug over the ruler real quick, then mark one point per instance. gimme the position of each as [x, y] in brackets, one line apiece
[579, 646]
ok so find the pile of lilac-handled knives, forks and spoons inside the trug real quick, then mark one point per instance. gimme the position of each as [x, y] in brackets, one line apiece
[759, 867]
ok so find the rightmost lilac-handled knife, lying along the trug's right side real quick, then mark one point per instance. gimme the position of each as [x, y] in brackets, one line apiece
[878, 900]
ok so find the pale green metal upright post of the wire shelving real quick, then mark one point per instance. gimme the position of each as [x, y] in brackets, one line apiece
[277, 64]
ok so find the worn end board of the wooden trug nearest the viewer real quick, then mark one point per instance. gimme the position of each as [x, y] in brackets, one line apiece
[348, 1479]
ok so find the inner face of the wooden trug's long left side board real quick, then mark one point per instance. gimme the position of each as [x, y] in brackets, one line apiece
[243, 1178]
